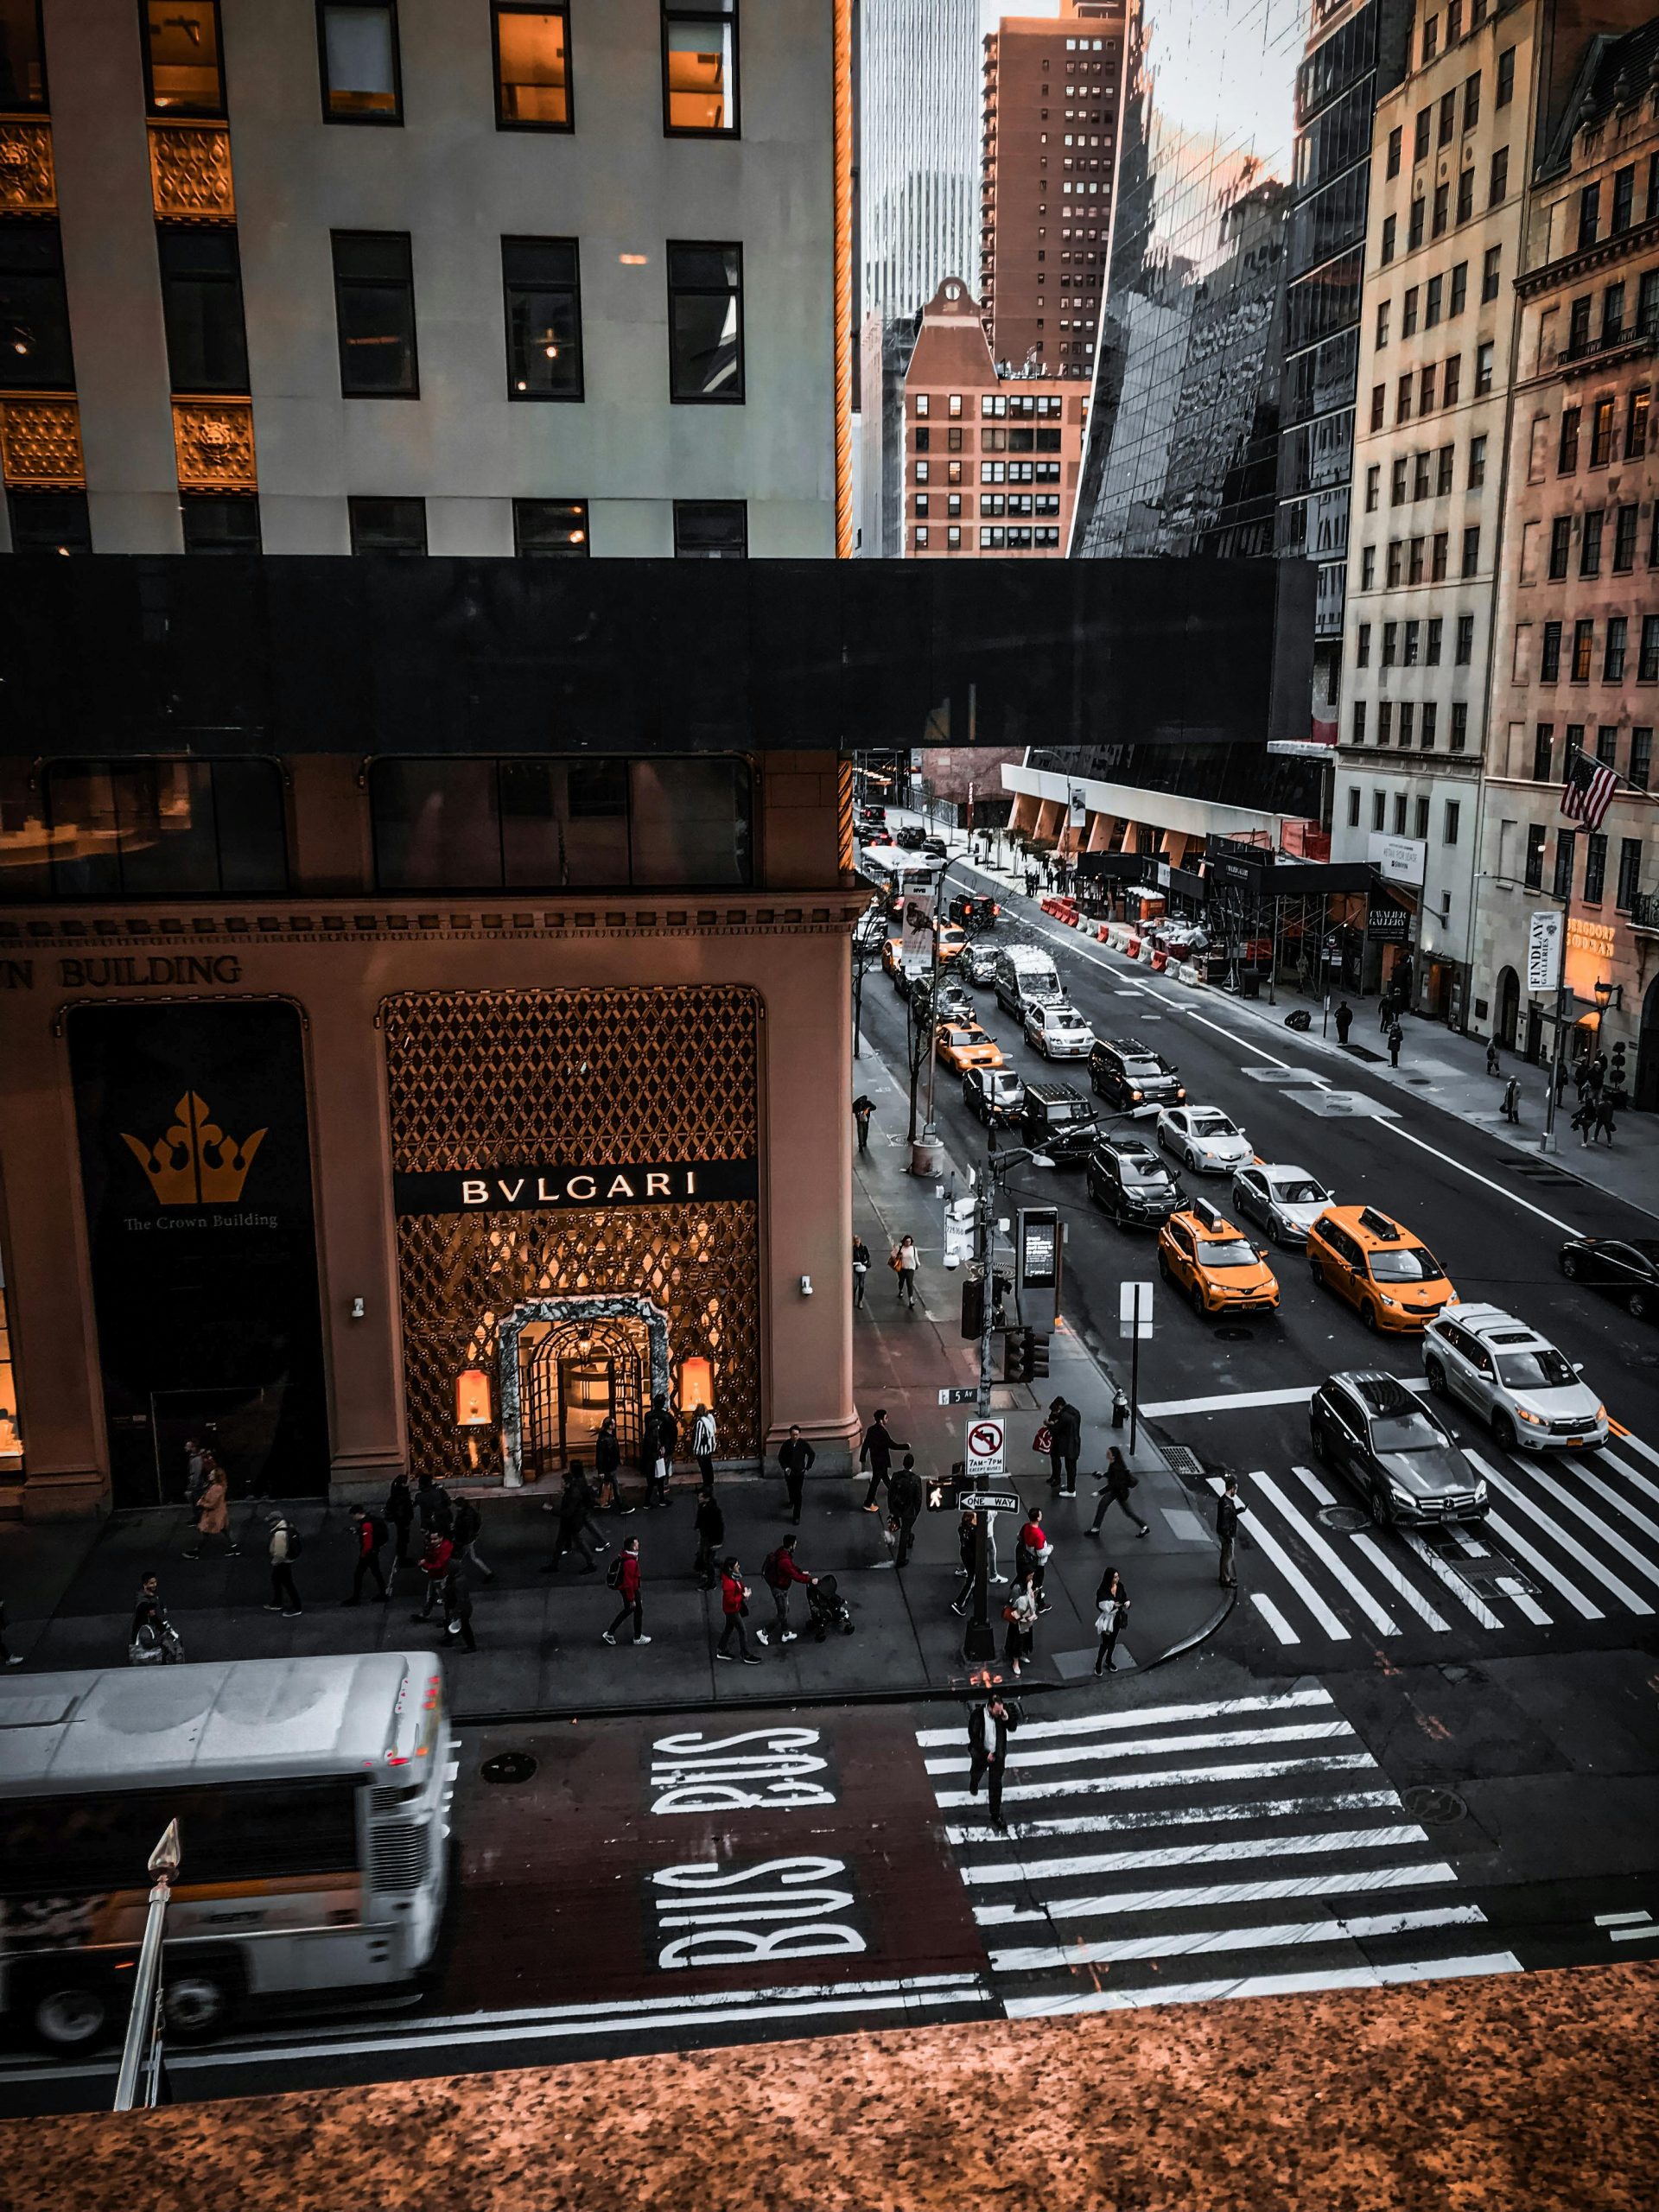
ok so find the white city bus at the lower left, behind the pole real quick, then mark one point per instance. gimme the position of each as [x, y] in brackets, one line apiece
[313, 1811]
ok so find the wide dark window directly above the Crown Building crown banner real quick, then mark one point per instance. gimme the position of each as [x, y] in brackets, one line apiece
[165, 828]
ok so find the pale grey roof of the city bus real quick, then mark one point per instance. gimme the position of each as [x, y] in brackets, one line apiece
[233, 1720]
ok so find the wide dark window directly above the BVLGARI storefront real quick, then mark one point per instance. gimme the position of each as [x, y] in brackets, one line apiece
[547, 822]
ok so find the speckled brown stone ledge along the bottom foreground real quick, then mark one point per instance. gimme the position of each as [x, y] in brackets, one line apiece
[1510, 2094]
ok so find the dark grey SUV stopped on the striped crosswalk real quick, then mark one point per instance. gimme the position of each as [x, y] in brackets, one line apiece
[1392, 1450]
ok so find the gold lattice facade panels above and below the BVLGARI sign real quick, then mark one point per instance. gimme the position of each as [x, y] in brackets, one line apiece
[578, 1076]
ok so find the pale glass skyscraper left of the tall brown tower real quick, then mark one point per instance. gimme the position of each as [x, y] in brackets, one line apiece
[919, 149]
